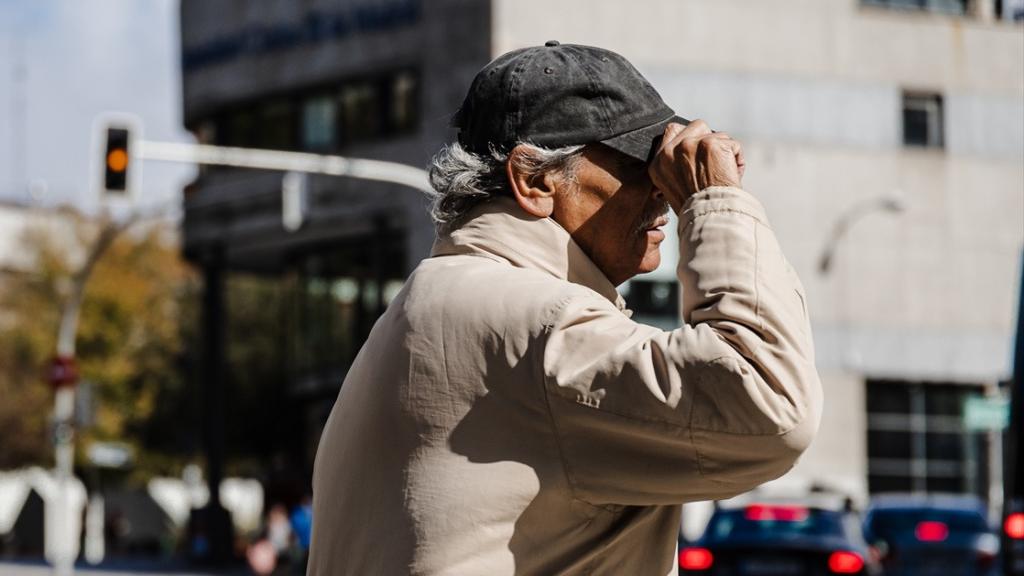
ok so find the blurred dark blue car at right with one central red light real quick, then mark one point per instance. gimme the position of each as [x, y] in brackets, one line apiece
[934, 536]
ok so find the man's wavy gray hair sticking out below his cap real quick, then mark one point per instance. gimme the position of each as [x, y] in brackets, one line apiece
[463, 180]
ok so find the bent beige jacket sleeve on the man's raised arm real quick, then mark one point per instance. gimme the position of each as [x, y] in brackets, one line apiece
[708, 412]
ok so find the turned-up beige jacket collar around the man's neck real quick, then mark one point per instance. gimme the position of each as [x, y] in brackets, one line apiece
[500, 229]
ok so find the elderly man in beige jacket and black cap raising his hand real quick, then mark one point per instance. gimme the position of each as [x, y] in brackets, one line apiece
[505, 416]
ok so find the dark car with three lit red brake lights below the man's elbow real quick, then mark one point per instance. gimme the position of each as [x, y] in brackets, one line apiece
[782, 539]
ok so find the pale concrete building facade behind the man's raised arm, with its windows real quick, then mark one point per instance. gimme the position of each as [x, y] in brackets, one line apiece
[889, 141]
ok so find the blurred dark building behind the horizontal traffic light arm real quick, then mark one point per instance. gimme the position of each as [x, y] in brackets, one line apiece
[370, 79]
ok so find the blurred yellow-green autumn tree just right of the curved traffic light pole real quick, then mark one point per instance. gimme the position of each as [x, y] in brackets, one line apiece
[138, 316]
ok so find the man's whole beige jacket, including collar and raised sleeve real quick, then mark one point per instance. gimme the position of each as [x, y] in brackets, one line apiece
[506, 417]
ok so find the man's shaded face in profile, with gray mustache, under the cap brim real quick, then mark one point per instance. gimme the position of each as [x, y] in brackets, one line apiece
[614, 214]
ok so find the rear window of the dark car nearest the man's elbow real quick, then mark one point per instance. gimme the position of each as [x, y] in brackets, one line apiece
[774, 522]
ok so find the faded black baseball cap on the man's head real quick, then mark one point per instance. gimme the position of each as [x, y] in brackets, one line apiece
[563, 95]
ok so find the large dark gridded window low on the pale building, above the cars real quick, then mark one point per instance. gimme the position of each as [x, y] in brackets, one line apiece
[917, 441]
